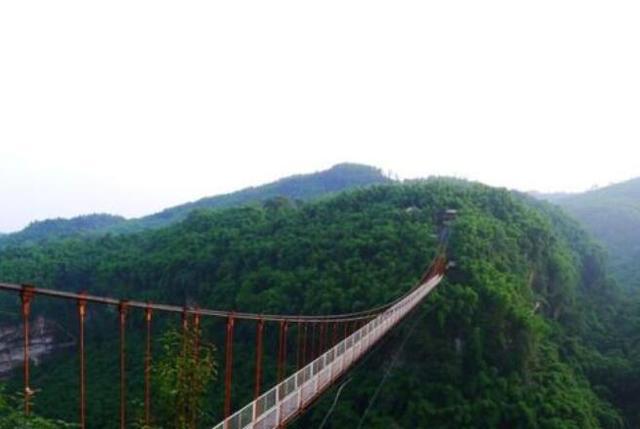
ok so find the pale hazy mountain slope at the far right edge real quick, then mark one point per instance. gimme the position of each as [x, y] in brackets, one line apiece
[612, 214]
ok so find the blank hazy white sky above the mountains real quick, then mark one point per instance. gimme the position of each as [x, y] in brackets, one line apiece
[132, 106]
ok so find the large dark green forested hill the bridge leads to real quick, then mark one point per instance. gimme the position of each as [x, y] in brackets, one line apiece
[526, 332]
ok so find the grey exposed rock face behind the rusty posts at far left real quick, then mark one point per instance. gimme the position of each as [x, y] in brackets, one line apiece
[45, 338]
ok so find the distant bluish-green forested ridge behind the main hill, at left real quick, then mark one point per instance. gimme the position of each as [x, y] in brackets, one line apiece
[299, 187]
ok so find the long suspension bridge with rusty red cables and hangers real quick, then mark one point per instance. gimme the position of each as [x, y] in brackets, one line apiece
[327, 348]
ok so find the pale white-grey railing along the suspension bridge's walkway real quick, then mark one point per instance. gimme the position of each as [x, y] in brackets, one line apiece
[290, 397]
